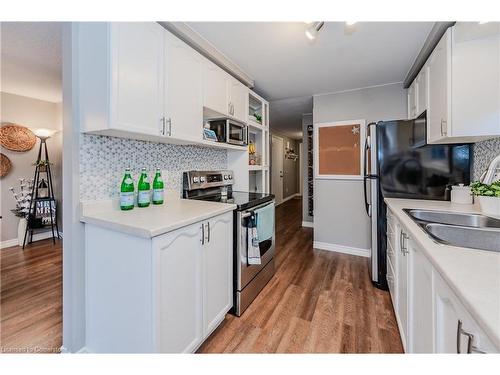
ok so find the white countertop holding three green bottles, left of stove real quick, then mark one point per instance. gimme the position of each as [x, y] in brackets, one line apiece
[151, 221]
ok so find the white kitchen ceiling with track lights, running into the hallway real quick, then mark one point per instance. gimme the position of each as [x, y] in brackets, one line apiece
[285, 64]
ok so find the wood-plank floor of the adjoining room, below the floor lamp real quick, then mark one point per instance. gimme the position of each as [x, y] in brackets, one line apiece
[31, 298]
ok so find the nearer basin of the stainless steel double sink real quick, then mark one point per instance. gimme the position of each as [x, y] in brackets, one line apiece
[475, 238]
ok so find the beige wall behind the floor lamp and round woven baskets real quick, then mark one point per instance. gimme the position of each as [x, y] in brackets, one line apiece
[32, 113]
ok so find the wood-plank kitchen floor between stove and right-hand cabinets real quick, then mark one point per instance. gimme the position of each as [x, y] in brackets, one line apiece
[318, 302]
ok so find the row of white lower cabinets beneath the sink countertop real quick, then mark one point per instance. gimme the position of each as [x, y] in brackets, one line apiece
[430, 317]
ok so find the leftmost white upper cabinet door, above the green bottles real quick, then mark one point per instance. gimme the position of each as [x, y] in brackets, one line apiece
[137, 96]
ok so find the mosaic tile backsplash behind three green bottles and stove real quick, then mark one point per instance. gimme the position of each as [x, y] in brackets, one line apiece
[103, 160]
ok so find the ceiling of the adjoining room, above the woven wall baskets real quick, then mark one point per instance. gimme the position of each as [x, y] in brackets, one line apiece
[31, 59]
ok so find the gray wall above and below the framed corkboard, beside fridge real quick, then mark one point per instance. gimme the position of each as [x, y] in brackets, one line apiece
[339, 212]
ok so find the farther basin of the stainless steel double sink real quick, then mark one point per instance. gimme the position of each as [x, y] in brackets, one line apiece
[452, 218]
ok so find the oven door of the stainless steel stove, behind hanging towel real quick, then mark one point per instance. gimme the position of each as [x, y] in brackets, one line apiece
[245, 272]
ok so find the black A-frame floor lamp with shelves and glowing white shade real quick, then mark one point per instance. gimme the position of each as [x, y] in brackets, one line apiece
[42, 210]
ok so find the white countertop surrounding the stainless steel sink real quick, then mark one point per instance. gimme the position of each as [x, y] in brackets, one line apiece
[474, 275]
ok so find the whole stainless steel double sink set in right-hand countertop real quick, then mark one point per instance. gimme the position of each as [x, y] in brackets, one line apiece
[474, 231]
